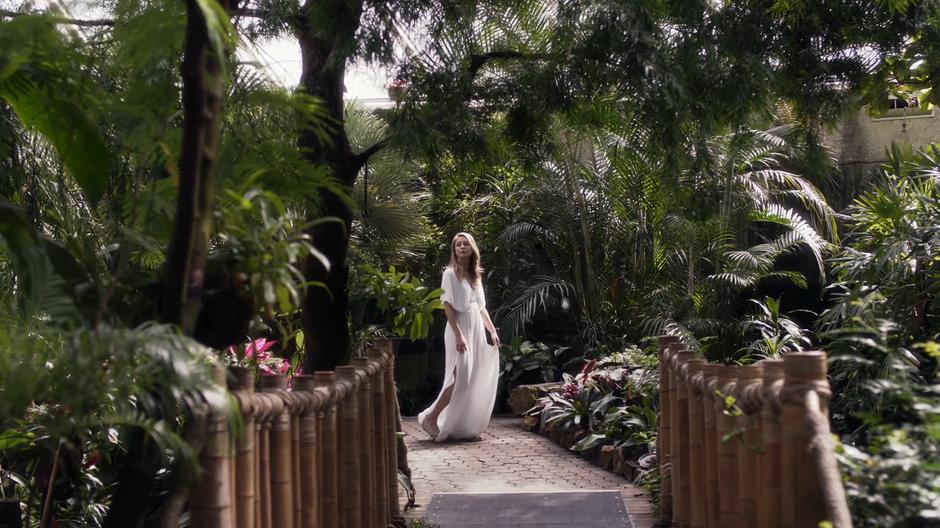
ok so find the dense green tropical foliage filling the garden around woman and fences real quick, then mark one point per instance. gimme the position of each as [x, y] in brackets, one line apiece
[631, 169]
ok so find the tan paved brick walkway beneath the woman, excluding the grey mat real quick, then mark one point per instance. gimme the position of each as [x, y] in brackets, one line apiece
[509, 459]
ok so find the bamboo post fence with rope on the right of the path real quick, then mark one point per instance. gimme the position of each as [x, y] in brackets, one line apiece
[744, 446]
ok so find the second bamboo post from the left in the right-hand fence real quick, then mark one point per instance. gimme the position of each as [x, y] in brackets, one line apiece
[682, 504]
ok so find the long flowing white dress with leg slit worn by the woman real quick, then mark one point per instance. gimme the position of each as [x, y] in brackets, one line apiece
[474, 373]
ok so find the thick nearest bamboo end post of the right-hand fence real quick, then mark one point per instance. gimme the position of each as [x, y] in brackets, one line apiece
[803, 372]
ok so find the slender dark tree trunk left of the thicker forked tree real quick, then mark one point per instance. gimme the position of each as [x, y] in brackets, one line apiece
[203, 84]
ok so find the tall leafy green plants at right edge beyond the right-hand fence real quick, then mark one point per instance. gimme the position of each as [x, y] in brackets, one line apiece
[881, 332]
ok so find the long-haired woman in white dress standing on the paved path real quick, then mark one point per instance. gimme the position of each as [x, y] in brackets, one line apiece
[462, 409]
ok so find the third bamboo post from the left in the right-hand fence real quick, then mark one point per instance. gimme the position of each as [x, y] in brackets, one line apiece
[696, 467]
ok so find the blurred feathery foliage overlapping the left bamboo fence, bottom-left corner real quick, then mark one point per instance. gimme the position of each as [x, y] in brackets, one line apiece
[72, 398]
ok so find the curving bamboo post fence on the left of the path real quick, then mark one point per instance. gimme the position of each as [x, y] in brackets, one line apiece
[322, 454]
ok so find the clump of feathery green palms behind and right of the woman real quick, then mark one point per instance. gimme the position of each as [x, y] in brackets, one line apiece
[621, 237]
